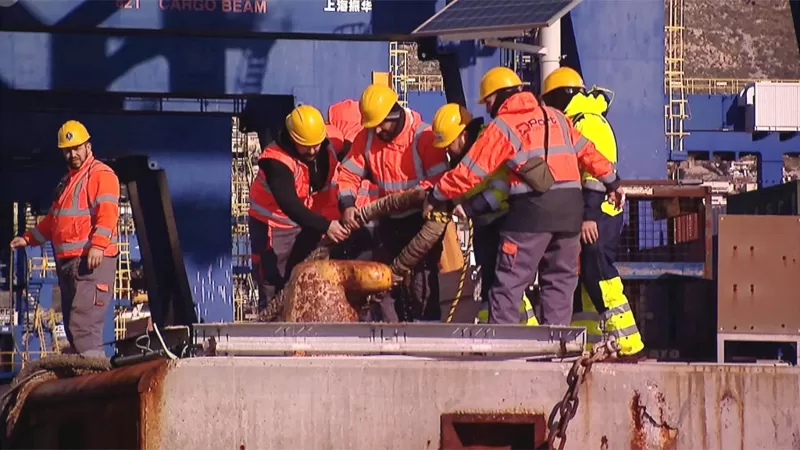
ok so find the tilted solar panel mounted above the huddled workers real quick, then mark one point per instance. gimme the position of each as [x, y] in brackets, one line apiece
[494, 17]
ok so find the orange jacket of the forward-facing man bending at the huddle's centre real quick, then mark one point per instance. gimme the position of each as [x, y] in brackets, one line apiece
[409, 161]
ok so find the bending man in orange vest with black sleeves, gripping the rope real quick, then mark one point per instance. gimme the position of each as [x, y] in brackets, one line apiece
[293, 202]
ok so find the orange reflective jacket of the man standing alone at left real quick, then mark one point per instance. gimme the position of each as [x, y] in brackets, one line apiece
[84, 215]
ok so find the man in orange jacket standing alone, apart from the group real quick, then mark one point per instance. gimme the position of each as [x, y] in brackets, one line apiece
[82, 226]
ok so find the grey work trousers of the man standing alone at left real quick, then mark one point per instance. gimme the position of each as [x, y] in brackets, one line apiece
[85, 298]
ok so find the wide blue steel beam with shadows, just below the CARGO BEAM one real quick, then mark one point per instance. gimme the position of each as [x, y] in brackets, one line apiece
[315, 72]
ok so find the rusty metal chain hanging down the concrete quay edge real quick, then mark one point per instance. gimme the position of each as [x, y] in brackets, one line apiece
[566, 409]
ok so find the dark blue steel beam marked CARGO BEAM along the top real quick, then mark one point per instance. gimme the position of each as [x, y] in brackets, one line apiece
[328, 19]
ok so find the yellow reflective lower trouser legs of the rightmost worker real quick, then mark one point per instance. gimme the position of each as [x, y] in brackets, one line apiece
[618, 320]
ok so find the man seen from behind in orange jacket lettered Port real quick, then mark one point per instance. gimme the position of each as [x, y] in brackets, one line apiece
[542, 228]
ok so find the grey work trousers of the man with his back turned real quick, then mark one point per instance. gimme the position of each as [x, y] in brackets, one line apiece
[520, 255]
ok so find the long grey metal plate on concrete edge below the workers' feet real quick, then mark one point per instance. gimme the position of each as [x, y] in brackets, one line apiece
[423, 339]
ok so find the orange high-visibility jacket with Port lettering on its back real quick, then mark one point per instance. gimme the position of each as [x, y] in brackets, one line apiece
[516, 135]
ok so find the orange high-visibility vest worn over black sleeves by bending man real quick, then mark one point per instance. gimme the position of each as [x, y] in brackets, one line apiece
[263, 205]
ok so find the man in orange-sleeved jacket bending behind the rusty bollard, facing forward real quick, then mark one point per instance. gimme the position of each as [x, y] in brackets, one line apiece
[395, 151]
